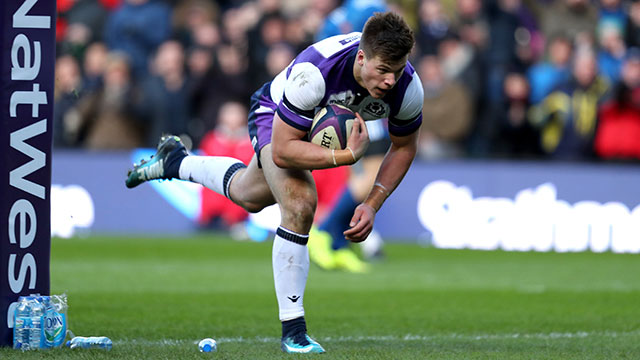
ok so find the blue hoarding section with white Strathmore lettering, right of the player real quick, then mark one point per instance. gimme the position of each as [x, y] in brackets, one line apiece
[524, 206]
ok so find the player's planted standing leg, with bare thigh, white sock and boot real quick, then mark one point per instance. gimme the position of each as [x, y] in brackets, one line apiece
[295, 192]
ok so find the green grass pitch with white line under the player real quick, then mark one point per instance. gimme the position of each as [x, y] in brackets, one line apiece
[156, 297]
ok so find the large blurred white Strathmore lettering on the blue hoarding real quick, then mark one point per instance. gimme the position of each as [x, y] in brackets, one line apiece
[534, 220]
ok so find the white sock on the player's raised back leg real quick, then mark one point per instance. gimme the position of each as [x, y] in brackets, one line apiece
[214, 172]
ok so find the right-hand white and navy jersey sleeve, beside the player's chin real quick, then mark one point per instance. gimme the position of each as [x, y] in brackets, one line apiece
[409, 116]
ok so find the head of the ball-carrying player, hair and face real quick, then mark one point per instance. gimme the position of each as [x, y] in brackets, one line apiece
[384, 49]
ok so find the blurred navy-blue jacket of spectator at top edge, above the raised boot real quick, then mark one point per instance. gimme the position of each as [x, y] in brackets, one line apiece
[137, 28]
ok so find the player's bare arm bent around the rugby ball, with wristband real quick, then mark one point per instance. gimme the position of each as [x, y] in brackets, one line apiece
[291, 151]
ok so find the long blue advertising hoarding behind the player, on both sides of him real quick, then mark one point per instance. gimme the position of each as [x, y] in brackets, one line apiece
[540, 206]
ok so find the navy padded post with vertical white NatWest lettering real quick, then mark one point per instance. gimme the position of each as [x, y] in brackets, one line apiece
[28, 52]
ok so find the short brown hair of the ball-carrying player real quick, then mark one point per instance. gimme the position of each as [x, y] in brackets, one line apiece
[388, 36]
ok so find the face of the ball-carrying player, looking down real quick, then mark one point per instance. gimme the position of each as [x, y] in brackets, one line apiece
[378, 76]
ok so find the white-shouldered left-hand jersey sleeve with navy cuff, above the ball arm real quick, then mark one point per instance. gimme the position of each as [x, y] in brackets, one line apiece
[303, 91]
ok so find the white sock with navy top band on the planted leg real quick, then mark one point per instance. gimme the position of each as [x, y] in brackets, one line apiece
[290, 269]
